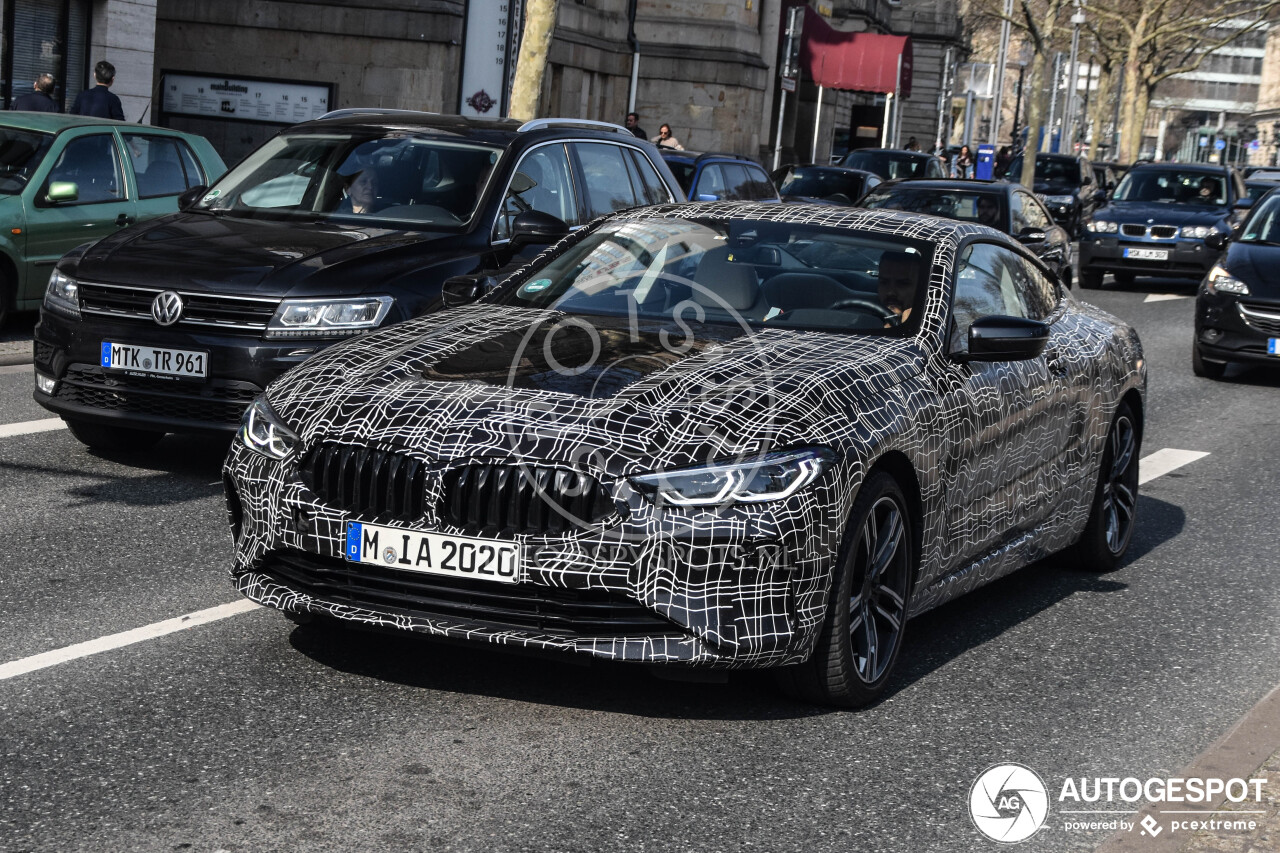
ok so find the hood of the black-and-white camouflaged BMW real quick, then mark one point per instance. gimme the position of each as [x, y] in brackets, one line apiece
[495, 381]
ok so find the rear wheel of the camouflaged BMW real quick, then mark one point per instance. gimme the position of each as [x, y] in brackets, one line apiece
[1116, 503]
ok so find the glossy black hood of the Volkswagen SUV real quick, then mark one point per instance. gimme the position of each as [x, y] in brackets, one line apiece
[200, 252]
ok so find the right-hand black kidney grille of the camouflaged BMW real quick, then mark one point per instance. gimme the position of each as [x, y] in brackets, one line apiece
[523, 499]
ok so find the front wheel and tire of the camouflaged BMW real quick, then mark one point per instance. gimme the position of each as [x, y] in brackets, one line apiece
[867, 612]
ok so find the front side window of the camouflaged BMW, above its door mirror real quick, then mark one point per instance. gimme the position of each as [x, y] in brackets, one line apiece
[990, 281]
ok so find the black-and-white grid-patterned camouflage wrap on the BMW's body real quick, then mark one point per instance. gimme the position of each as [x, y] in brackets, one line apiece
[1002, 459]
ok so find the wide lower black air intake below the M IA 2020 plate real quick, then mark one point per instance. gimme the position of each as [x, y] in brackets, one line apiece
[559, 613]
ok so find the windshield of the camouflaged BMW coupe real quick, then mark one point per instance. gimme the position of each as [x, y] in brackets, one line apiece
[765, 275]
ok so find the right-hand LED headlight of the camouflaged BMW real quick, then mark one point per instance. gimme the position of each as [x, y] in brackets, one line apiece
[769, 478]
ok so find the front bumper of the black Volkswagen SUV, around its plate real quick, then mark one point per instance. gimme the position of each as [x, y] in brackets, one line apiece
[240, 368]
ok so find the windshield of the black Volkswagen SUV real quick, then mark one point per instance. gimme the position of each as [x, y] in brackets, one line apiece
[394, 179]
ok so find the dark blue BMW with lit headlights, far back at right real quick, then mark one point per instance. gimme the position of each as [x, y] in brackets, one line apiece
[1158, 221]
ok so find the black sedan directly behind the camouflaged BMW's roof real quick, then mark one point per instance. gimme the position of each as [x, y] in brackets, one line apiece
[1004, 207]
